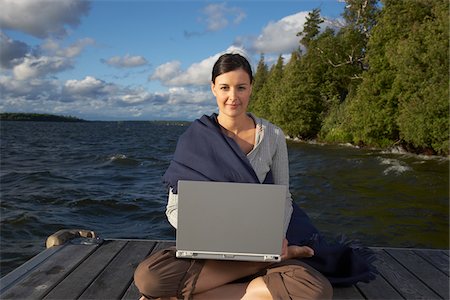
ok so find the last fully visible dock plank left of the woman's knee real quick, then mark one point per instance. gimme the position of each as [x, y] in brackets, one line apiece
[113, 282]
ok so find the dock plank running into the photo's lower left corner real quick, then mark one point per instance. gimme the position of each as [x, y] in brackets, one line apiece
[45, 276]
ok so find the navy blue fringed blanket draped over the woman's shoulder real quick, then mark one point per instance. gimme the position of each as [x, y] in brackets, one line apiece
[204, 153]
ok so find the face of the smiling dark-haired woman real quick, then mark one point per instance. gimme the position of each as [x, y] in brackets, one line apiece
[232, 91]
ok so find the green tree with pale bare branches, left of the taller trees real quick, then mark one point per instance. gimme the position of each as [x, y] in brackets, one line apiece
[336, 59]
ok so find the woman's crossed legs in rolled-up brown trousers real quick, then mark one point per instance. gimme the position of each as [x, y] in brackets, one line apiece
[164, 275]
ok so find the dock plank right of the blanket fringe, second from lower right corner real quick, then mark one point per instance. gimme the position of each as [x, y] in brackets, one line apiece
[401, 279]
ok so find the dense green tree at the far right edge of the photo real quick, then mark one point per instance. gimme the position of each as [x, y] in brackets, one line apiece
[422, 81]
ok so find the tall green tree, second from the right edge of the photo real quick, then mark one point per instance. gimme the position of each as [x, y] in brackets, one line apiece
[373, 111]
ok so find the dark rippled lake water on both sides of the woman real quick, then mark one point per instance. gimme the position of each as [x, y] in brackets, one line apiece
[106, 177]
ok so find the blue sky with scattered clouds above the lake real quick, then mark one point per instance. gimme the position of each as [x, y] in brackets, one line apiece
[138, 59]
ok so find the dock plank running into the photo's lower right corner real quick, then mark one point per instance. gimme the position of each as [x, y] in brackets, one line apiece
[426, 272]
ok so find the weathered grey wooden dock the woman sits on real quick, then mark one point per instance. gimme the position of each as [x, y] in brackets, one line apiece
[80, 269]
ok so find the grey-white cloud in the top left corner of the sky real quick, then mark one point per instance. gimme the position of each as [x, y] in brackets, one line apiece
[42, 19]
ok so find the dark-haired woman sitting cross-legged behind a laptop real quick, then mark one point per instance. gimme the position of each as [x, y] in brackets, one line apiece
[239, 147]
